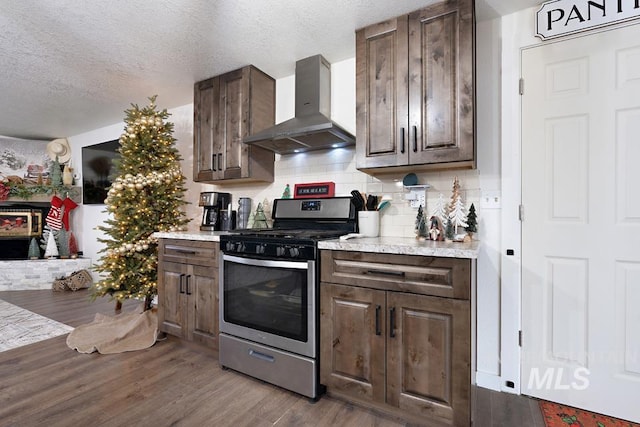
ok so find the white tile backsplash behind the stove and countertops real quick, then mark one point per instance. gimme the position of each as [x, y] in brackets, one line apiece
[338, 166]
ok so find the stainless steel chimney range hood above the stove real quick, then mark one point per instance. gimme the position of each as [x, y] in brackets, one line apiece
[311, 128]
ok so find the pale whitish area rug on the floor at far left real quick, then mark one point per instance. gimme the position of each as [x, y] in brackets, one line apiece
[20, 327]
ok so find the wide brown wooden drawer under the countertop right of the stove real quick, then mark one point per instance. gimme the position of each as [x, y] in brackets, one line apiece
[443, 277]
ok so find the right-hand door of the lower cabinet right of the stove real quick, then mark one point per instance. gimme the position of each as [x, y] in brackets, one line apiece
[429, 356]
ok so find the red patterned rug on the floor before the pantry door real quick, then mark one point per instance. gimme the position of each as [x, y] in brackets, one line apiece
[556, 415]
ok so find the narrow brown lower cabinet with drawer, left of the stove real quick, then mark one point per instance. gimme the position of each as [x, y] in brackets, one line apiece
[188, 290]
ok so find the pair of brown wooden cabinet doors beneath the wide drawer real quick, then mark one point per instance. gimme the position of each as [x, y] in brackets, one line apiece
[403, 353]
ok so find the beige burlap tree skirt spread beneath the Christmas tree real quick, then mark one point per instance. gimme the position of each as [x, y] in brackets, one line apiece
[117, 334]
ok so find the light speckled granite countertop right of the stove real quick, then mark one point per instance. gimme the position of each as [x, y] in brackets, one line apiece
[404, 246]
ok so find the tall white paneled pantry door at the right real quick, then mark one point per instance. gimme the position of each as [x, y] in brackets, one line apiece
[581, 225]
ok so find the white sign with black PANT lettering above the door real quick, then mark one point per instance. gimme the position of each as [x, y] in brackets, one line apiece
[561, 17]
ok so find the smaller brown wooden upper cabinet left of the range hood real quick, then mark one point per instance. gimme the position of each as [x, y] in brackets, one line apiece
[228, 108]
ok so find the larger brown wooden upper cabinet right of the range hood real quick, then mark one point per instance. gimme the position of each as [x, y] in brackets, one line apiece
[415, 90]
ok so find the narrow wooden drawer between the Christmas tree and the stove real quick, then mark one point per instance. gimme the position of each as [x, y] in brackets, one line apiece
[189, 252]
